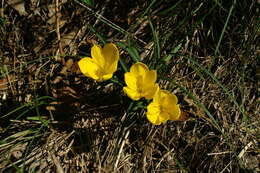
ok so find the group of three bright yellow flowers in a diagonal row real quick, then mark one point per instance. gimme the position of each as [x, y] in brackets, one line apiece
[140, 82]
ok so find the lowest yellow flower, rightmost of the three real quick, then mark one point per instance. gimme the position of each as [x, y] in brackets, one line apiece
[163, 107]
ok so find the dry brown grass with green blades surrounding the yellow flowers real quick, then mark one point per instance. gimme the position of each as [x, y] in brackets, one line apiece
[53, 119]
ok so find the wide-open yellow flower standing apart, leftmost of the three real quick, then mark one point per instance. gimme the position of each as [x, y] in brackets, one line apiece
[103, 63]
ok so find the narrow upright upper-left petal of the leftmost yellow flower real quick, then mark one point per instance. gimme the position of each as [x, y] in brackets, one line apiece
[97, 55]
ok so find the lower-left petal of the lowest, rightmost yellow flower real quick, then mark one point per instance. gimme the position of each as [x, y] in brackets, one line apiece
[153, 111]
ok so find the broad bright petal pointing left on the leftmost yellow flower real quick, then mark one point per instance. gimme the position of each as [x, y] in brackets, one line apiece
[89, 68]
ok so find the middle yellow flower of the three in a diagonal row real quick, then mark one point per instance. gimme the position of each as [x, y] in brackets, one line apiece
[140, 82]
